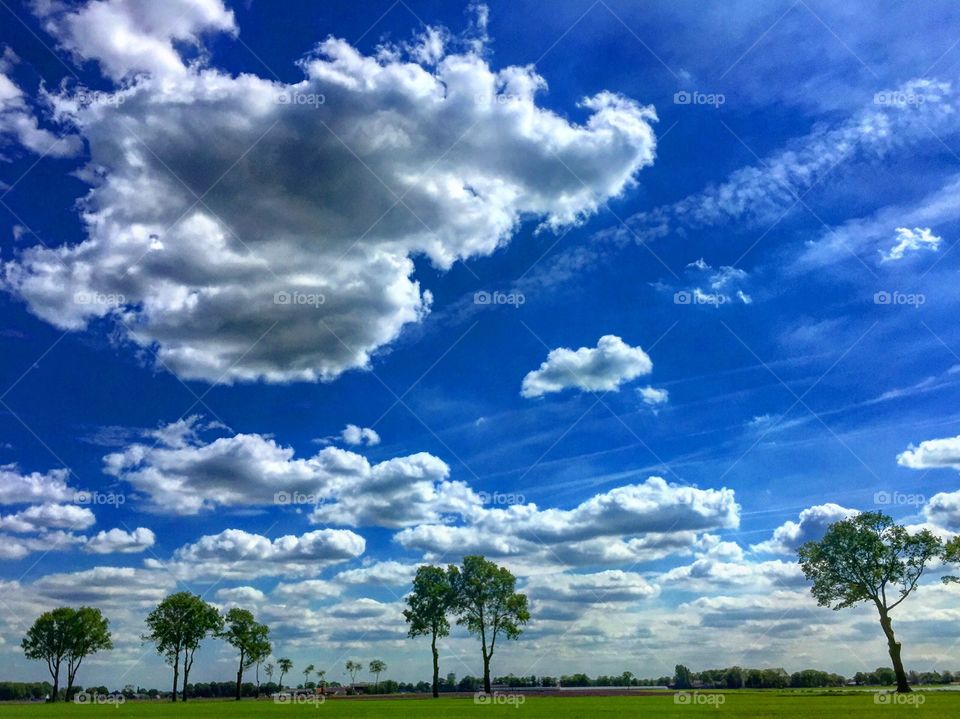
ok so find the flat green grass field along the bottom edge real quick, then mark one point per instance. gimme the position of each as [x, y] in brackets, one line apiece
[816, 705]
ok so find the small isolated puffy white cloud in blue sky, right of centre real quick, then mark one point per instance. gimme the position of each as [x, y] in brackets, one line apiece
[591, 369]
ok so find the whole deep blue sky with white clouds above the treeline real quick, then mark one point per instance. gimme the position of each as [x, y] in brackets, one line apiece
[632, 299]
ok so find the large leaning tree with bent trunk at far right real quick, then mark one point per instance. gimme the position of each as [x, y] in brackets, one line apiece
[862, 559]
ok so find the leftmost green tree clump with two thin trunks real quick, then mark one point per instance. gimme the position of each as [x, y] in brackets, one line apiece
[66, 634]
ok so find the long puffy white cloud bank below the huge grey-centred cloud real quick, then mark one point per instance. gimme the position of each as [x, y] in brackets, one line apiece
[183, 474]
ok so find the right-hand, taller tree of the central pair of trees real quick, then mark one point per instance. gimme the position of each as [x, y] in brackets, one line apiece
[488, 605]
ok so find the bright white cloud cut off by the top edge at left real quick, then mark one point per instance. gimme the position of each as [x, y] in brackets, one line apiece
[130, 36]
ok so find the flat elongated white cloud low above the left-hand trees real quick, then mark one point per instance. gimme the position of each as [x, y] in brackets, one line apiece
[235, 553]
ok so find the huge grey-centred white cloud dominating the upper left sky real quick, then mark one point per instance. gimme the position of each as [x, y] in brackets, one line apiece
[331, 199]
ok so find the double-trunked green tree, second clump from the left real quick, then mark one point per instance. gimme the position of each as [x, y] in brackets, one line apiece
[177, 627]
